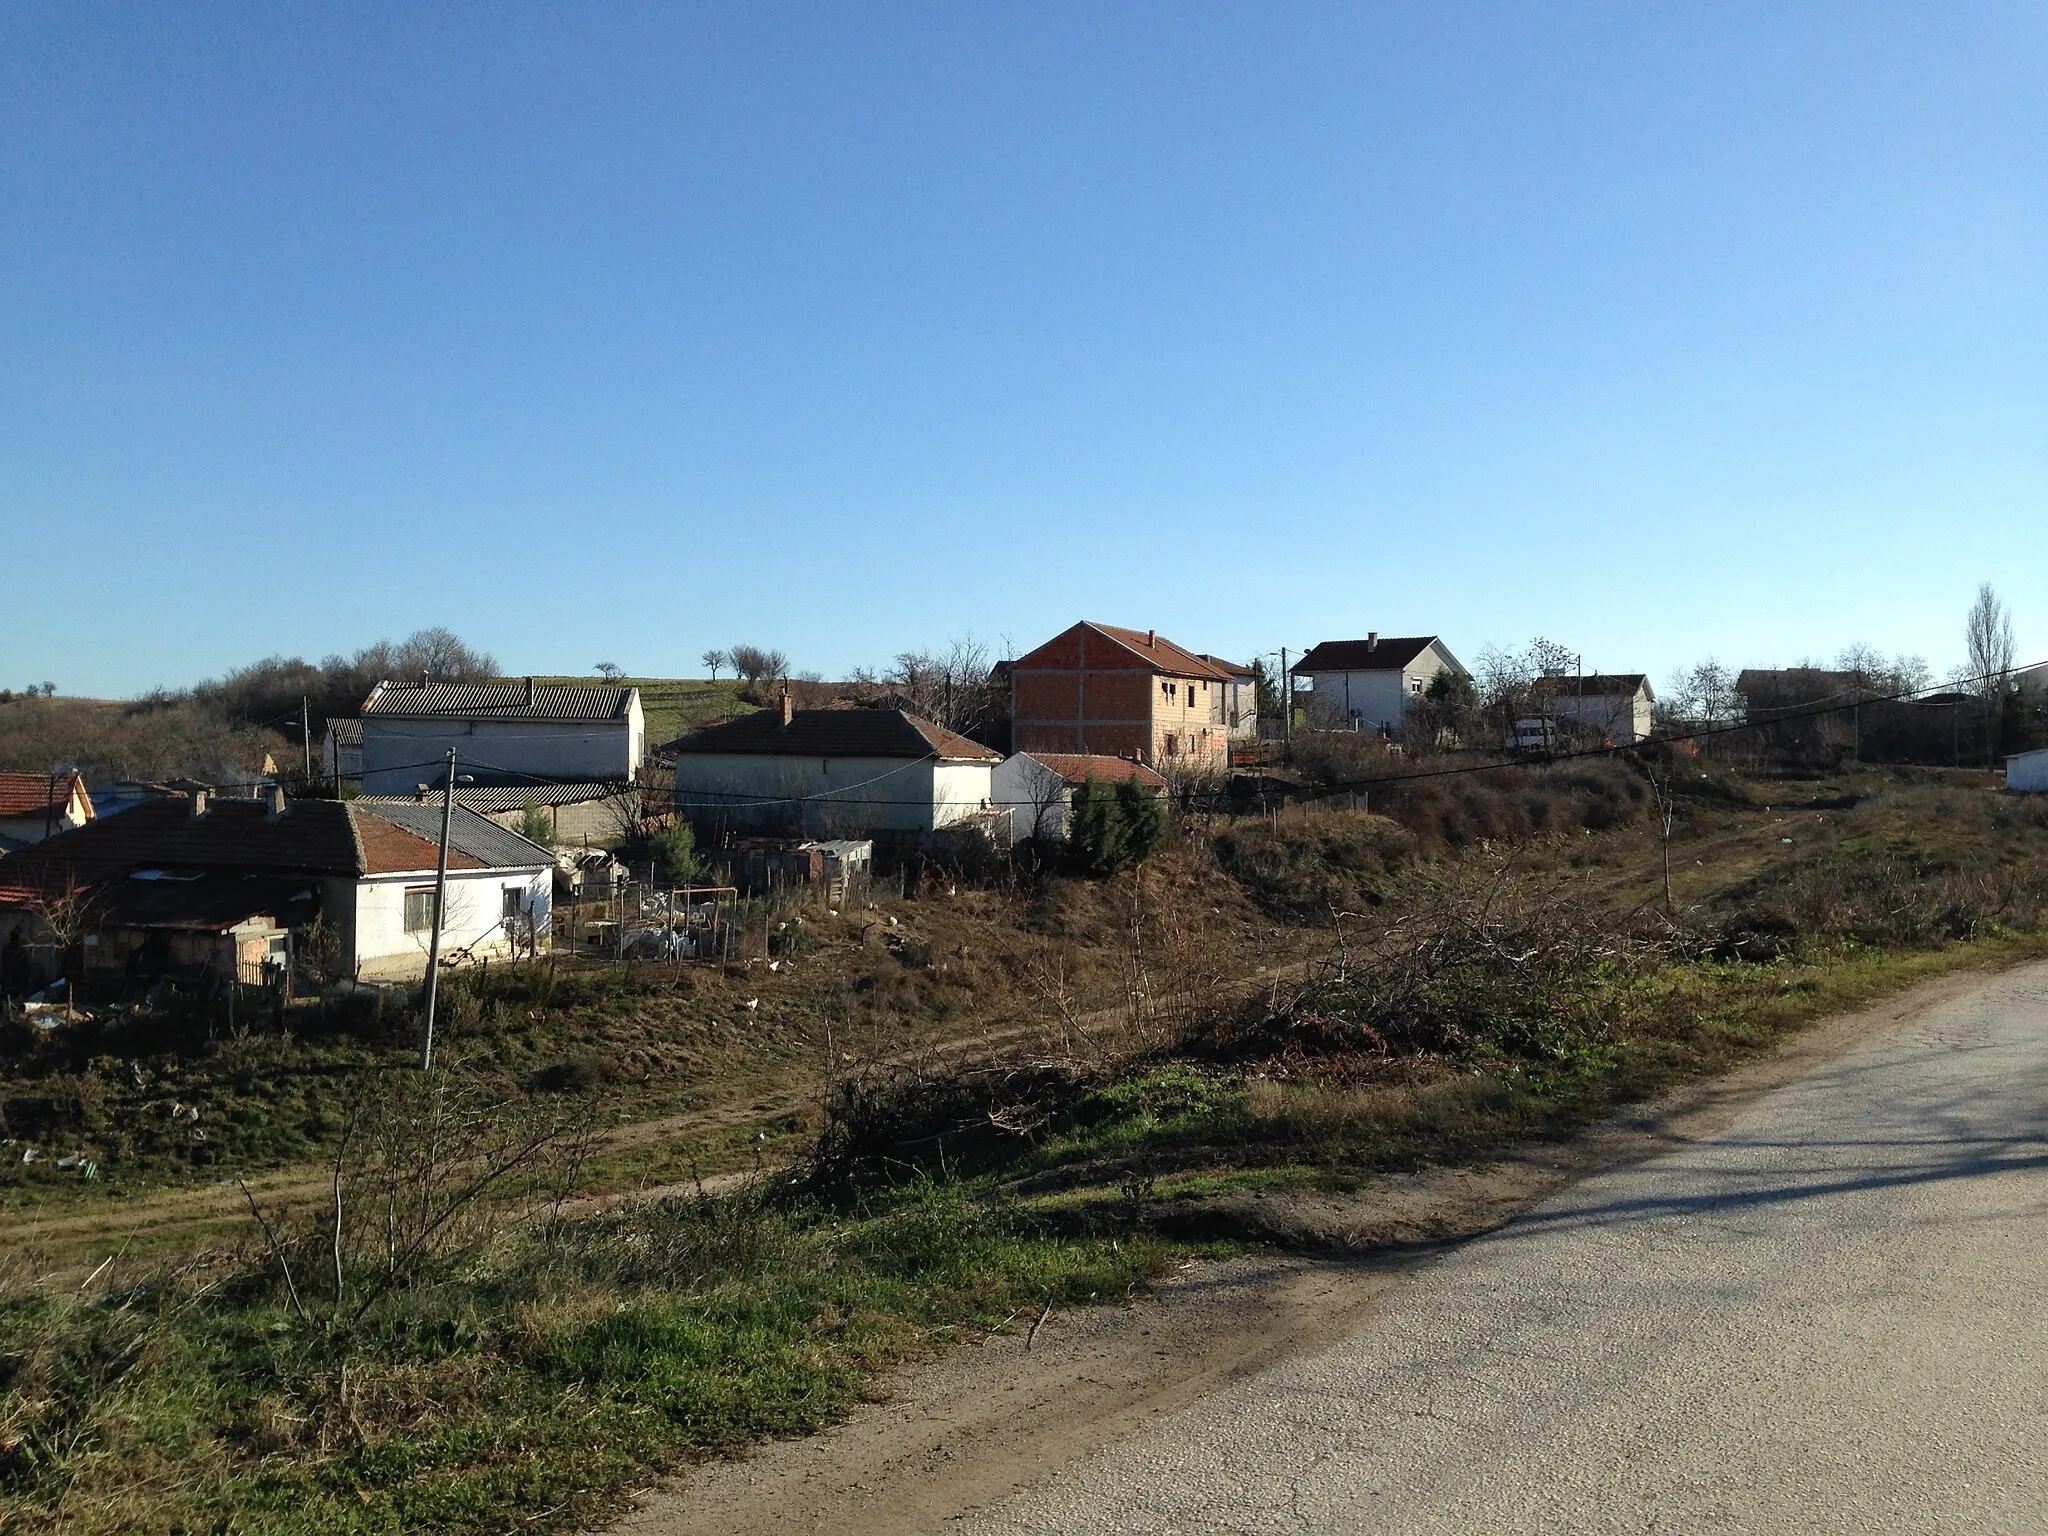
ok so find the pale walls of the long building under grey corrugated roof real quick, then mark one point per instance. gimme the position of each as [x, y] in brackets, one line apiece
[400, 755]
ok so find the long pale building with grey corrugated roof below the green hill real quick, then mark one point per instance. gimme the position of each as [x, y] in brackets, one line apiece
[505, 734]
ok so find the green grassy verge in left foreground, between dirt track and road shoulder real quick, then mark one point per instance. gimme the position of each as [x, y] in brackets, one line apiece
[527, 1390]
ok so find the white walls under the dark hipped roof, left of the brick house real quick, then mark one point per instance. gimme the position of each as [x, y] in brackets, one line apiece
[826, 798]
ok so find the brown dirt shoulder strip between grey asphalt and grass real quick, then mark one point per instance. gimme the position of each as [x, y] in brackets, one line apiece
[968, 1431]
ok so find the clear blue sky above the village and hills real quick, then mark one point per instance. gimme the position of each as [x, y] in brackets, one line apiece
[615, 333]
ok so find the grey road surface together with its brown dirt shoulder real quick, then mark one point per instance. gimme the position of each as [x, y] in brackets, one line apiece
[1803, 1299]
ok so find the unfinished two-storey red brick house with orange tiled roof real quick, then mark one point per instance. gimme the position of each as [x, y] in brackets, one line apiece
[1125, 693]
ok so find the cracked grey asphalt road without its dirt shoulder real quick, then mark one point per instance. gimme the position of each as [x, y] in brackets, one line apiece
[1824, 1320]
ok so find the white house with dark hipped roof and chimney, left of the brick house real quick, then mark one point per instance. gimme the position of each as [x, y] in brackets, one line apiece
[830, 773]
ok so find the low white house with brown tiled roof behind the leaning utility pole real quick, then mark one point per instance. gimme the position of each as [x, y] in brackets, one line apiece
[206, 886]
